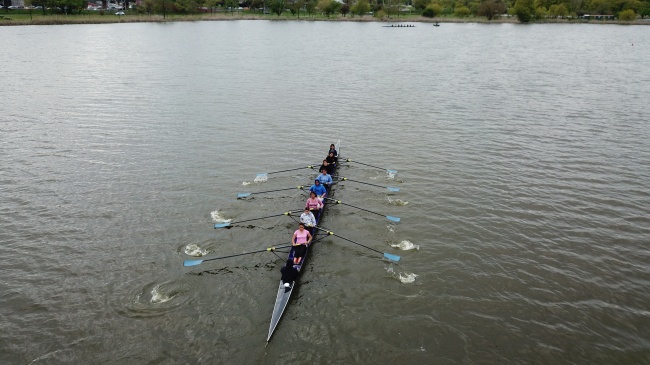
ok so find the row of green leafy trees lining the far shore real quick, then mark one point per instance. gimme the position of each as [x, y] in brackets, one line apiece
[524, 10]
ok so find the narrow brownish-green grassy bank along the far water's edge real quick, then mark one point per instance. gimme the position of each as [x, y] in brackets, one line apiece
[40, 19]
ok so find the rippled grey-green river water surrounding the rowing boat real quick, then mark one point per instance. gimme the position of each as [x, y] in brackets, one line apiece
[523, 167]
